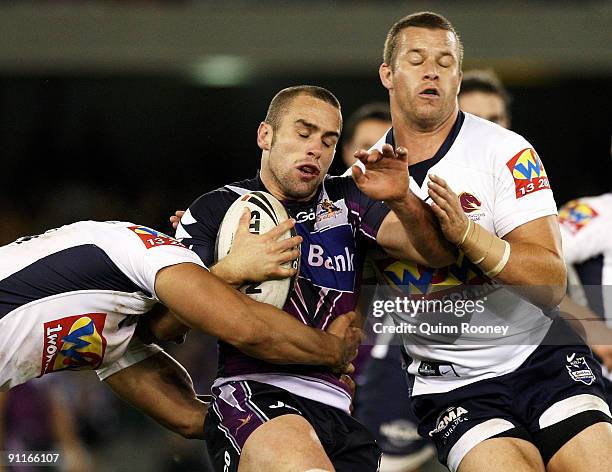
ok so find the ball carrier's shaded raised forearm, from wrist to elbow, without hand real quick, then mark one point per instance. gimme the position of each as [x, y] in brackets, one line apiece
[420, 226]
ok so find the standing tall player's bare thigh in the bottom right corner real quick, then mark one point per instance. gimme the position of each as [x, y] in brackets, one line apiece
[590, 450]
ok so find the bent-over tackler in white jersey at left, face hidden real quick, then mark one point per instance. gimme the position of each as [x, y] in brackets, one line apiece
[70, 299]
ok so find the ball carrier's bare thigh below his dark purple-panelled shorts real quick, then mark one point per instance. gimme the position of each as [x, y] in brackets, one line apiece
[287, 443]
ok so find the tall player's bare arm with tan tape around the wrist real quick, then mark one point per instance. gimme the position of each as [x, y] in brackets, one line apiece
[528, 256]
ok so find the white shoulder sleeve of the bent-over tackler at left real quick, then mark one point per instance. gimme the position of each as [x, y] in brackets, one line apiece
[141, 252]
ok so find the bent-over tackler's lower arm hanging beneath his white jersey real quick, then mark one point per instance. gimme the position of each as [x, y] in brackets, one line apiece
[161, 388]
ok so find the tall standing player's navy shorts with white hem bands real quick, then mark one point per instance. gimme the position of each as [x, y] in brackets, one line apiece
[556, 393]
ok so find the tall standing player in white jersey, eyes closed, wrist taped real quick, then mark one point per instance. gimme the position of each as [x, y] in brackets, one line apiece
[531, 406]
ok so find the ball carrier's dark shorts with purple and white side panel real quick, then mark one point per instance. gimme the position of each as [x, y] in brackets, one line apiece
[240, 407]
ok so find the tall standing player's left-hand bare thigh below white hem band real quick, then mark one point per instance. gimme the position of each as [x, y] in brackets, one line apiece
[502, 455]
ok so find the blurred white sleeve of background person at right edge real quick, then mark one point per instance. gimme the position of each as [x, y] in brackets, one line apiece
[583, 230]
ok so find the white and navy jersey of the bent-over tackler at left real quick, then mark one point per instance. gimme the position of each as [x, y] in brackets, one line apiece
[69, 298]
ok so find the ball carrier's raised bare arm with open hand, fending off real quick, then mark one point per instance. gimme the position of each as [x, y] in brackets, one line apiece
[410, 231]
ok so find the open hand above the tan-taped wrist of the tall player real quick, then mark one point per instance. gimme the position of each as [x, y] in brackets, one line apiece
[447, 208]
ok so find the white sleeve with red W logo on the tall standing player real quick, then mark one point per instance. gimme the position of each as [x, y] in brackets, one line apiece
[521, 188]
